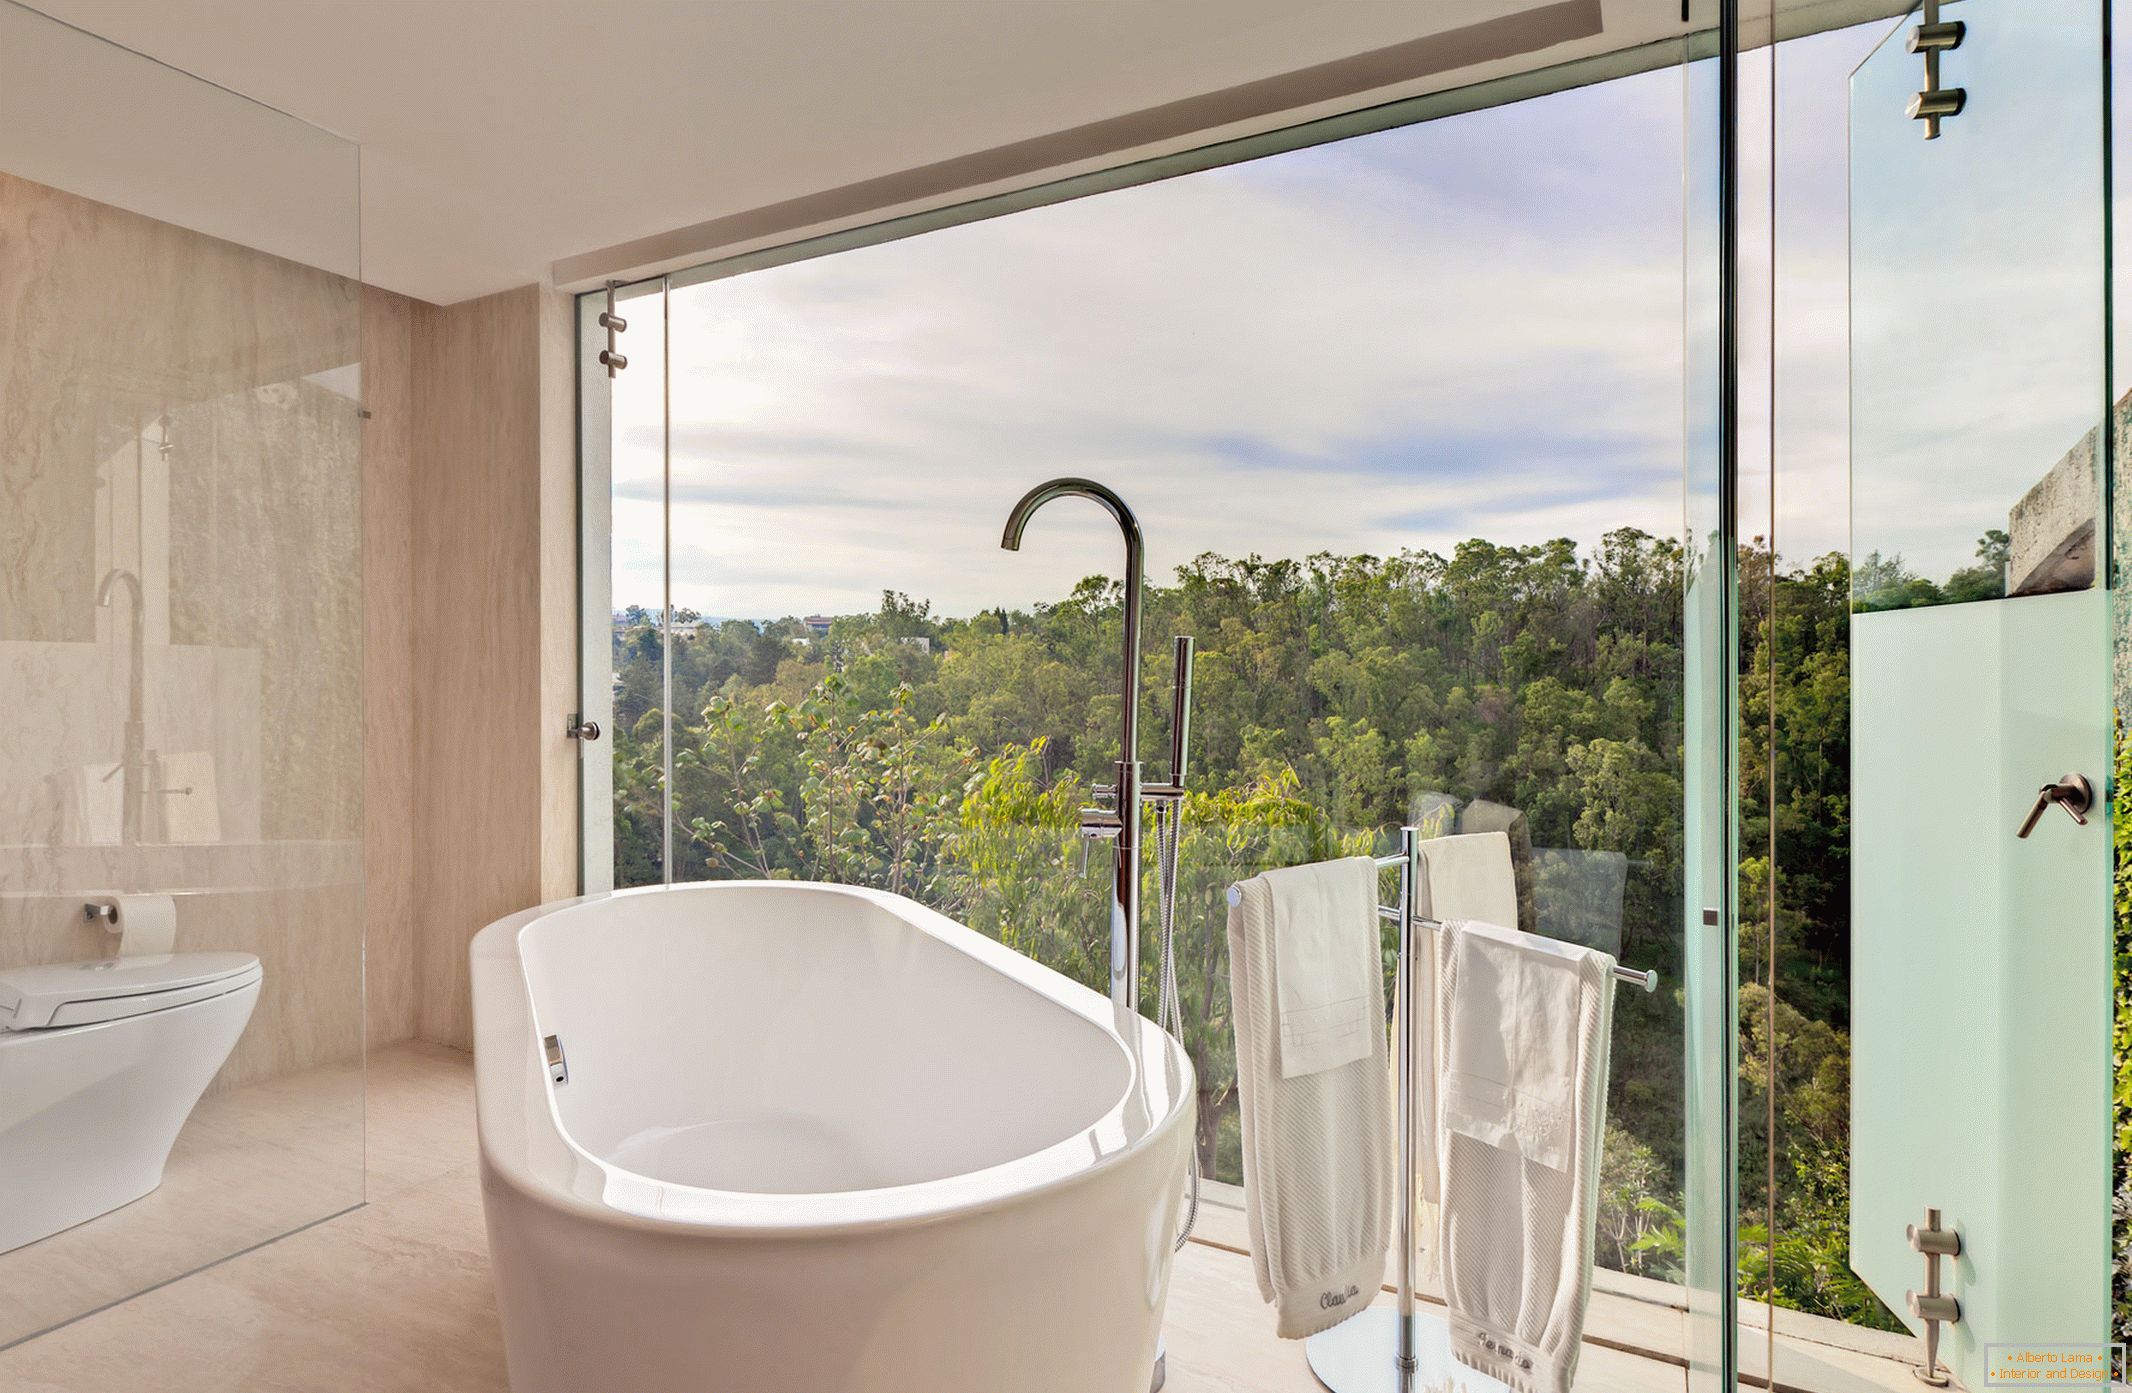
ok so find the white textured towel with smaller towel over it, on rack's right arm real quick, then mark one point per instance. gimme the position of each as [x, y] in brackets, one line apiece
[1523, 1031]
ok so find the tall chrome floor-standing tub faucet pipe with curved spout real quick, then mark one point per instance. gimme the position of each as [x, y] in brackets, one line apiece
[1122, 822]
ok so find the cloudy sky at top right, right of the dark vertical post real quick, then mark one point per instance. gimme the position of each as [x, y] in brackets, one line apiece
[1939, 287]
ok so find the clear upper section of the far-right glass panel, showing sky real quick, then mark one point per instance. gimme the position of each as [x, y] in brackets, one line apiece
[1975, 430]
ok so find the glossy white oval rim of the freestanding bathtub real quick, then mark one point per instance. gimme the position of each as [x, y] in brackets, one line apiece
[526, 1147]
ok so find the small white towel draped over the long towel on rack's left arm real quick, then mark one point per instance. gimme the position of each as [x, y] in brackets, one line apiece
[1327, 974]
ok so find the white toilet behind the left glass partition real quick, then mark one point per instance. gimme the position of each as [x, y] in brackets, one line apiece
[101, 1063]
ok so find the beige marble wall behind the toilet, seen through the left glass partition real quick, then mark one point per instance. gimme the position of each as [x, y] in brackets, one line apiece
[184, 413]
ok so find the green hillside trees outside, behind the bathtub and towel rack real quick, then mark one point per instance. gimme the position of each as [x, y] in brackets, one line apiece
[1336, 699]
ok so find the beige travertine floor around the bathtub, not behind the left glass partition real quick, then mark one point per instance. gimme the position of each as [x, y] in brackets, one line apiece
[395, 1298]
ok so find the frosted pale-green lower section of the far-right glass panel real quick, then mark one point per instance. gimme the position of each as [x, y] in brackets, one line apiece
[1982, 965]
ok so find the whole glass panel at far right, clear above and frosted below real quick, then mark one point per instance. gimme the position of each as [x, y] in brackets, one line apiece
[1988, 244]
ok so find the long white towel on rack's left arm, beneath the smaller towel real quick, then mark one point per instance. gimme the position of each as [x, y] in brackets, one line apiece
[1317, 1149]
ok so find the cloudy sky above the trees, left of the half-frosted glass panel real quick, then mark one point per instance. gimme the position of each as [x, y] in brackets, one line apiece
[1461, 330]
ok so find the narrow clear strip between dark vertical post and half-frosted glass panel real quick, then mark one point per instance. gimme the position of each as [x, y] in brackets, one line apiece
[1796, 1006]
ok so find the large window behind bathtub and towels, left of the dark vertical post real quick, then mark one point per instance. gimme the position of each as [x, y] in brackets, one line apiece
[1406, 419]
